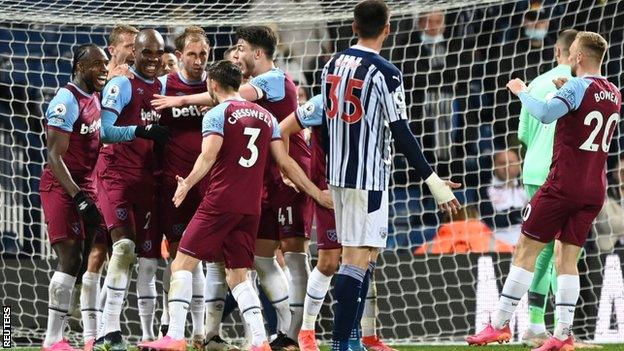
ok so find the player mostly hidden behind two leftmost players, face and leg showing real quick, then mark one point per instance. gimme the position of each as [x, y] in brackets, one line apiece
[120, 46]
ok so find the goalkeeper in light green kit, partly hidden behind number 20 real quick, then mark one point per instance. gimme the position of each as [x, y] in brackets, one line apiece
[537, 139]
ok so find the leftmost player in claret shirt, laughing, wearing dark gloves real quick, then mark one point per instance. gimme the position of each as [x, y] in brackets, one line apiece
[67, 190]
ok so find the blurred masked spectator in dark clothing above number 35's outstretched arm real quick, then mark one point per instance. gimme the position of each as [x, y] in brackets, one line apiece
[430, 63]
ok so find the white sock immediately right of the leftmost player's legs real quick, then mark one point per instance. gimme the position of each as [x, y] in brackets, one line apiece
[89, 308]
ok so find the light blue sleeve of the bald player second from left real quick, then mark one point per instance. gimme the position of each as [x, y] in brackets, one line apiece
[116, 95]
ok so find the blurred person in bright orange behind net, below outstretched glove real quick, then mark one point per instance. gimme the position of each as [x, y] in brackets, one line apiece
[463, 233]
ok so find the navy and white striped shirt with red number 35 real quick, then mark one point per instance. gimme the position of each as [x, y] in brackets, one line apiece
[362, 94]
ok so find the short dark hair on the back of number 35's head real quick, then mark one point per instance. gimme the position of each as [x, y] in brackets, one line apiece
[371, 17]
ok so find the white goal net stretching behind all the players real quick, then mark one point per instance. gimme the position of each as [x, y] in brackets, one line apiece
[436, 281]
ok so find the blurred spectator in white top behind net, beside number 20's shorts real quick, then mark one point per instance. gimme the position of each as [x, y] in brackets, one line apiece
[504, 199]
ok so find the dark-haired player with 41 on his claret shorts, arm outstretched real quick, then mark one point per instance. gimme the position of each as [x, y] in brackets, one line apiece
[282, 220]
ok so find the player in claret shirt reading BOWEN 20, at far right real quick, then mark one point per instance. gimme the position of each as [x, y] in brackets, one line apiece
[586, 109]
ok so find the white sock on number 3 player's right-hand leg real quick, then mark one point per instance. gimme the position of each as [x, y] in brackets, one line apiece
[249, 304]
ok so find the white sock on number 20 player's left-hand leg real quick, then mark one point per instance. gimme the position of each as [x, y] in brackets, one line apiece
[517, 284]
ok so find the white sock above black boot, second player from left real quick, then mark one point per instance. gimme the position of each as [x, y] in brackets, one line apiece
[116, 283]
